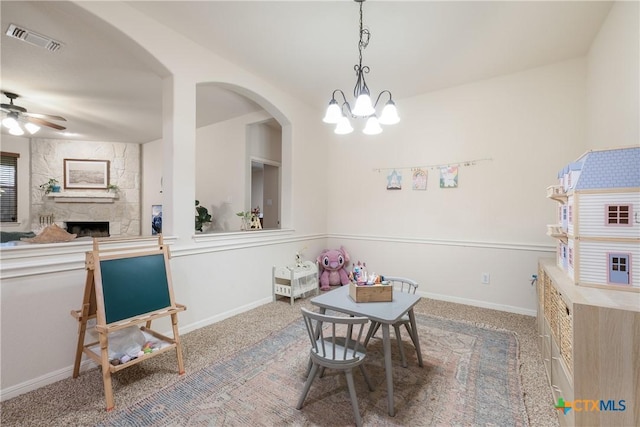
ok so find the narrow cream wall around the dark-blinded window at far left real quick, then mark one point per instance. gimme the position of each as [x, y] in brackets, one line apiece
[16, 144]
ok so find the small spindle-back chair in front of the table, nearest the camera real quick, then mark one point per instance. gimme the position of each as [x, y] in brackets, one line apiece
[336, 344]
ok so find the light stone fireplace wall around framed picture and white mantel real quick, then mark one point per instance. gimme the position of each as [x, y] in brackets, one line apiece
[123, 213]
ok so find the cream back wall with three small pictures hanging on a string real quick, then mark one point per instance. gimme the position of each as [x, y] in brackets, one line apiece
[530, 124]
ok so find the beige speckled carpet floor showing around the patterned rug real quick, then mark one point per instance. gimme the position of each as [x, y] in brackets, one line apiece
[80, 402]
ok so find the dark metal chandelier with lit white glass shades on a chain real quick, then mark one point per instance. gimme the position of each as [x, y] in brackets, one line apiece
[363, 107]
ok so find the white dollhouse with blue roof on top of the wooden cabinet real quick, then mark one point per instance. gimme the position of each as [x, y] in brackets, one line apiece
[598, 229]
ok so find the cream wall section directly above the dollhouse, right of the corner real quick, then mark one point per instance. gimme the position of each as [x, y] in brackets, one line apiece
[613, 107]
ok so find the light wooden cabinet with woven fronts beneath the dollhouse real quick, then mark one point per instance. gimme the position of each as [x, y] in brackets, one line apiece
[589, 339]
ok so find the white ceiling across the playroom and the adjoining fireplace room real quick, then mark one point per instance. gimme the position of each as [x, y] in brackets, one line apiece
[109, 88]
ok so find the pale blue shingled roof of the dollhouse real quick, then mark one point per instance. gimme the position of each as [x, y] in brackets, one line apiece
[617, 168]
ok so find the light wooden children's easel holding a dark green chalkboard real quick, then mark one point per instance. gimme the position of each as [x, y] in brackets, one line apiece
[126, 287]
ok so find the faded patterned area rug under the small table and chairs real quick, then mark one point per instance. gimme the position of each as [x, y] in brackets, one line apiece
[470, 377]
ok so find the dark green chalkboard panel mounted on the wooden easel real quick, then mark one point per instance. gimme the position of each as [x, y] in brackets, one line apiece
[134, 286]
